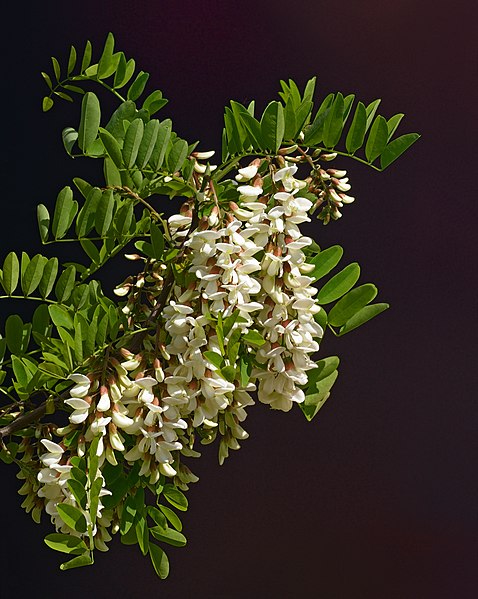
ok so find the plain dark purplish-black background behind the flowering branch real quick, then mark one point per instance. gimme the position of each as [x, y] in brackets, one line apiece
[376, 498]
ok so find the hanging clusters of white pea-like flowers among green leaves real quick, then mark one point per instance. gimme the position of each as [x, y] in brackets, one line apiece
[247, 262]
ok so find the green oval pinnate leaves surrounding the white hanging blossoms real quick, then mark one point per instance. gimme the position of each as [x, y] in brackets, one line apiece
[75, 324]
